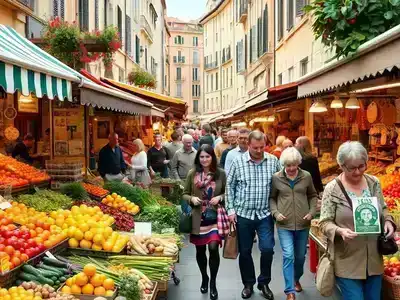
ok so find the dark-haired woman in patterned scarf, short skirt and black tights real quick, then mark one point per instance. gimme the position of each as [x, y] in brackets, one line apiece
[204, 190]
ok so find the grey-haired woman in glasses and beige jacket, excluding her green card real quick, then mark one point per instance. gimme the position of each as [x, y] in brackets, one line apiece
[357, 262]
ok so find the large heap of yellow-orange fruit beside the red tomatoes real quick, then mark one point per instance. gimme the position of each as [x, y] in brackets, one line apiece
[88, 228]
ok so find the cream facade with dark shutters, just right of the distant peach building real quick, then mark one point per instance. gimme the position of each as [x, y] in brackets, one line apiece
[238, 52]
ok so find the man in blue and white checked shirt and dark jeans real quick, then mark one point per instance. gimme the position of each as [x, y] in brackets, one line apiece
[247, 196]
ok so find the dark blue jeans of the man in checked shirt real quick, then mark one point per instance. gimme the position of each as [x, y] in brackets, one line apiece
[246, 230]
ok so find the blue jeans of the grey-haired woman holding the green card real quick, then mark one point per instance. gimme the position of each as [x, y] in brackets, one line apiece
[367, 289]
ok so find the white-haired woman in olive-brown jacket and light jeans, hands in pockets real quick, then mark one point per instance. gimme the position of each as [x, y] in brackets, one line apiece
[293, 204]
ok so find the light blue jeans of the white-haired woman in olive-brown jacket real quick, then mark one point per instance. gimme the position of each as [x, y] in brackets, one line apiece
[294, 248]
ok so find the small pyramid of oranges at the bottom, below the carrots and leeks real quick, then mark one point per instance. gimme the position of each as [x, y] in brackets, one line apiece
[89, 282]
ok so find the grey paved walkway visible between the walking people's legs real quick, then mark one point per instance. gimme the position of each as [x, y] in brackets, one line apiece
[229, 283]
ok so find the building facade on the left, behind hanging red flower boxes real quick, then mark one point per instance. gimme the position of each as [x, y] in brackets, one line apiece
[140, 24]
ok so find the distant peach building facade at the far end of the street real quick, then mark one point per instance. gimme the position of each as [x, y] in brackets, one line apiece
[186, 63]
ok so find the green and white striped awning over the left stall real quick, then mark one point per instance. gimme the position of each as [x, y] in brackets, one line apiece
[26, 68]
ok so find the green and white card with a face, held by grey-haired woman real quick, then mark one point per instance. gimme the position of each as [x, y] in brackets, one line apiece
[366, 215]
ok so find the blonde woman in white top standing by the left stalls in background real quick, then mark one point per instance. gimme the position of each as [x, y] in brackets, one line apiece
[139, 171]
